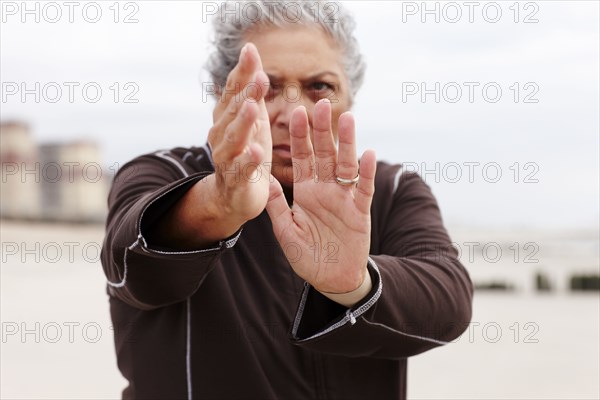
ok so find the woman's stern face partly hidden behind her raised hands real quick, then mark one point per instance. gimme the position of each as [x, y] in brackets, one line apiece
[304, 65]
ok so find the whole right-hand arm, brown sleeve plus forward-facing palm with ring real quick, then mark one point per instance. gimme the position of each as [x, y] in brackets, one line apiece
[419, 297]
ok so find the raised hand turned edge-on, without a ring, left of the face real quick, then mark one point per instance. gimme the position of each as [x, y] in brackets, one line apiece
[241, 140]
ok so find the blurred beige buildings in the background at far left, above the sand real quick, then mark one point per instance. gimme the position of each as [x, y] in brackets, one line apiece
[56, 181]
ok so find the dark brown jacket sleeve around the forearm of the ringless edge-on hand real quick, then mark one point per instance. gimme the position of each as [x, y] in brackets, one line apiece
[141, 274]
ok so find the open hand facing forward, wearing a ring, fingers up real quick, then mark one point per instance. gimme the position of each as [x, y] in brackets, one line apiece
[326, 233]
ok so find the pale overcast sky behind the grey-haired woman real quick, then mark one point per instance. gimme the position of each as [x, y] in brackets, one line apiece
[545, 145]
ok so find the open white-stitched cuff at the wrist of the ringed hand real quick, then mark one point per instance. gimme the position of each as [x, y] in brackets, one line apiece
[318, 316]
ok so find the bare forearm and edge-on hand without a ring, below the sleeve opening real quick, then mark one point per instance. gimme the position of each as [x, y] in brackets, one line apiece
[218, 205]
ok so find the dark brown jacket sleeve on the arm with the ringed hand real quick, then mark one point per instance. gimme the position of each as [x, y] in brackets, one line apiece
[421, 296]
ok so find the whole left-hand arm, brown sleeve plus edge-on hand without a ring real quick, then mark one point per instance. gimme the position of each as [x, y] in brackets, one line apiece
[165, 230]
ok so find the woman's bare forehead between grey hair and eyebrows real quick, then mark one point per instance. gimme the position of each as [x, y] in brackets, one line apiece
[297, 51]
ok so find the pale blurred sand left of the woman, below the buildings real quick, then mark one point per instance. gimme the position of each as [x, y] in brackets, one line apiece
[56, 331]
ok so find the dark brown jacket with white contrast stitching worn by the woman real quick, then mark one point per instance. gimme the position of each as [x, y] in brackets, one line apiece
[235, 322]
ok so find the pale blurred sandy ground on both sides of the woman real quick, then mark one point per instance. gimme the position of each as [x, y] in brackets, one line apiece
[57, 336]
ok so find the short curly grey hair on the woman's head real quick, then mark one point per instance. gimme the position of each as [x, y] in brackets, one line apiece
[233, 19]
